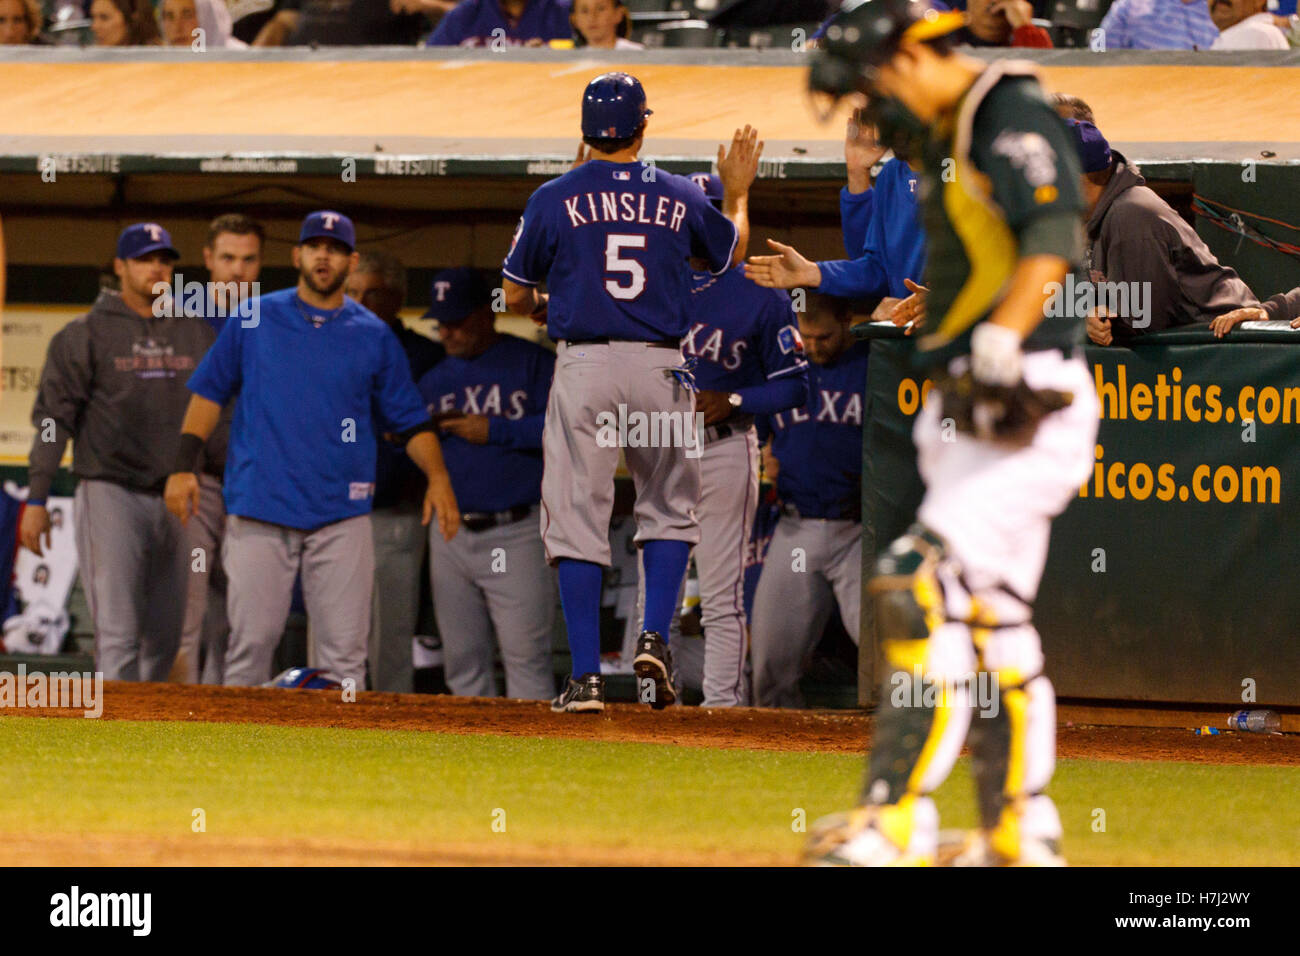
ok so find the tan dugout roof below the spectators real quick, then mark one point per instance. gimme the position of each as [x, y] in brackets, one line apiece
[453, 113]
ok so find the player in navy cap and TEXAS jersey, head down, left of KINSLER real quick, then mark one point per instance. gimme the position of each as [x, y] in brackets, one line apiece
[489, 400]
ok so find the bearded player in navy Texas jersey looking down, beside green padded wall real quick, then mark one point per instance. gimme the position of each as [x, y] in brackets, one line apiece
[816, 559]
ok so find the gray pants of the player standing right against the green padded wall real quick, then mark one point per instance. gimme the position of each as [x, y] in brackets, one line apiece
[795, 598]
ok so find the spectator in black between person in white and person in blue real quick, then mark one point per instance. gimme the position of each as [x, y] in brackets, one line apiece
[341, 24]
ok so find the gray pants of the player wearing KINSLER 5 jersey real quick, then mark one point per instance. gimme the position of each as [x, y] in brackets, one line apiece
[603, 383]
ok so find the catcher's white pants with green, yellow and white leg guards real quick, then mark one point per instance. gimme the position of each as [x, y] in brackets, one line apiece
[973, 661]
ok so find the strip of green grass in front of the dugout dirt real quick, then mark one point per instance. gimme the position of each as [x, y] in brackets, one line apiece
[146, 778]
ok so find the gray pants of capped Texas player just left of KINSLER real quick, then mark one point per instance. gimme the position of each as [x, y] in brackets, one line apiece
[495, 582]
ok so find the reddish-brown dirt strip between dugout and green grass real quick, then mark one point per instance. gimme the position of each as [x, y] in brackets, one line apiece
[744, 729]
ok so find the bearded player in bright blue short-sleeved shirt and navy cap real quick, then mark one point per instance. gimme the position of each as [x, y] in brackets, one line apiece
[319, 379]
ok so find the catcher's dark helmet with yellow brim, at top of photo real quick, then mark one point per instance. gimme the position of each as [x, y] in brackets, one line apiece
[866, 33]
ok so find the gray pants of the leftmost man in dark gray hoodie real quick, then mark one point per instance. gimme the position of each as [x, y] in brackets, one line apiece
[133, 570]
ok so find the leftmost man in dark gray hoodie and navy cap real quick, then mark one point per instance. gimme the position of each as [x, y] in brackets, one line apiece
[114, 383]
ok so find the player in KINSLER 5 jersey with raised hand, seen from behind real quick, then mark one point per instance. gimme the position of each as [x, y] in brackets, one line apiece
[612, 240]
